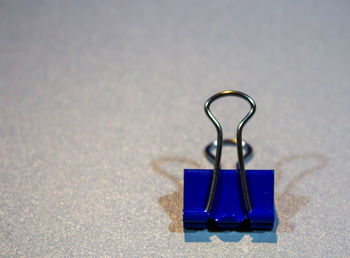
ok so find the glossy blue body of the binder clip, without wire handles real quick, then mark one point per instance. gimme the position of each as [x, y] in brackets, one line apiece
[228, 209]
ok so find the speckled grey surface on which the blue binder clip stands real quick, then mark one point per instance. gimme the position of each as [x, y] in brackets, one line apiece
[101, 109]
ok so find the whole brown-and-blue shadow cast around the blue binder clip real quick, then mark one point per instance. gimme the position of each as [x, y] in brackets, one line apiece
[287, 204]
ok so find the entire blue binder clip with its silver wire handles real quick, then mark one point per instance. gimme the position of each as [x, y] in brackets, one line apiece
[229, 199]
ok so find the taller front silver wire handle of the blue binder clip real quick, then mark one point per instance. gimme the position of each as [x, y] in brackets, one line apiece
[218, 127]
